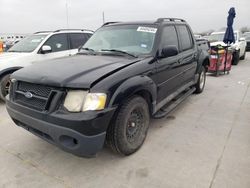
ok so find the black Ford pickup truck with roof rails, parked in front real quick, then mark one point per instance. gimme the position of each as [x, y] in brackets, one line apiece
[124, 75]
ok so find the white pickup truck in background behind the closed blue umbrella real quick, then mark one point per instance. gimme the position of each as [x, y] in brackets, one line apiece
[239, 47]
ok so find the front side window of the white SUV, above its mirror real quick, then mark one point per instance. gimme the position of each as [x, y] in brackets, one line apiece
[58, 42]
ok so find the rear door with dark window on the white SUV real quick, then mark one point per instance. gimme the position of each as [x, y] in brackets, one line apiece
[77, 40]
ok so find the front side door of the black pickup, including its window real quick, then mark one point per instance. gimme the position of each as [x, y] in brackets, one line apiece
[168, 69]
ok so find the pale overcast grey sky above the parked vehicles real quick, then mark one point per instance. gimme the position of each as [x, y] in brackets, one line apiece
[28, 16]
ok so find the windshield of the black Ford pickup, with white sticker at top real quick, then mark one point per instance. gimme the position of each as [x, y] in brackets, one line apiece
[133, 39]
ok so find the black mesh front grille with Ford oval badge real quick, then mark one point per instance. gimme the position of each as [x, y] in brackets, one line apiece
[38, 96]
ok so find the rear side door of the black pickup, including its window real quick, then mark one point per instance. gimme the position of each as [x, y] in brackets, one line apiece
[188, 53]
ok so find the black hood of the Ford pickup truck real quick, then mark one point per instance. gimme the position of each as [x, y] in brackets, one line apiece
[79, 71]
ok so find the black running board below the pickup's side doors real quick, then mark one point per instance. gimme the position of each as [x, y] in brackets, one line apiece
[173, 104]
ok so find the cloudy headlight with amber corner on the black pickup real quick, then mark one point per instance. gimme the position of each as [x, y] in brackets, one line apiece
[77, 101]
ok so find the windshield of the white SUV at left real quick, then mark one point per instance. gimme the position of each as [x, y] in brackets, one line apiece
[28, 44]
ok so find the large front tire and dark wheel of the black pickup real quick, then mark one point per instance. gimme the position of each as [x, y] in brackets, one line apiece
[128, 130]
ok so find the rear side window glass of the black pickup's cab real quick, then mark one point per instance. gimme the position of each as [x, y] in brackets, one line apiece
[185, 38]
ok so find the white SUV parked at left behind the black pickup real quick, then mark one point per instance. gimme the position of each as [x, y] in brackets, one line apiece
[39, 47]
